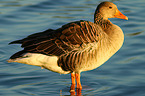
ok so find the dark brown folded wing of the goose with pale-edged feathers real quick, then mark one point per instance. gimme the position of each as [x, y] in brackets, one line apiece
[68, 38]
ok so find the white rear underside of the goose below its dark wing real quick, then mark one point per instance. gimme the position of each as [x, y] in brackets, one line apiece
[36, 59]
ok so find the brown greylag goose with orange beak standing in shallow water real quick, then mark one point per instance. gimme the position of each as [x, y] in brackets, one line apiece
[75, 47]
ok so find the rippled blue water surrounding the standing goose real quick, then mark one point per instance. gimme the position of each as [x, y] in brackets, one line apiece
[122, 75]
